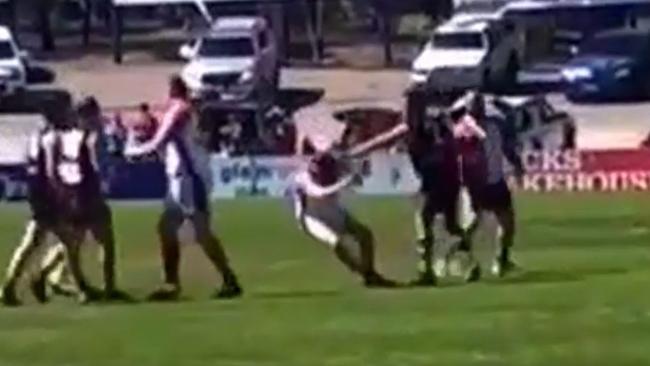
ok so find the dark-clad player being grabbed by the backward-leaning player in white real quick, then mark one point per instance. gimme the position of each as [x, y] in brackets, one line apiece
[434, 157]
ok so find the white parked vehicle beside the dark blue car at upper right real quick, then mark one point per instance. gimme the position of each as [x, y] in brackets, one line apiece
[469, 51]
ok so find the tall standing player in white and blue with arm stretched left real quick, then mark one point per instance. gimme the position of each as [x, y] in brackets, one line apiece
[187, 167]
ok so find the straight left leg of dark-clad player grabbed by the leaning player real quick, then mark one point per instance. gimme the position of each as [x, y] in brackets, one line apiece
[424, 214]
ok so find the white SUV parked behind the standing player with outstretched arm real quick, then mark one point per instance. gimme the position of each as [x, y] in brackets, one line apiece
[237, 59]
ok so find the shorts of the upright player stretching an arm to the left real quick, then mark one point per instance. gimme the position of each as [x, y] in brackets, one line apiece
[187, 194]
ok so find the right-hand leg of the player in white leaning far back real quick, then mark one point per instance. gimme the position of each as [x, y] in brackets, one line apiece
[364, 237]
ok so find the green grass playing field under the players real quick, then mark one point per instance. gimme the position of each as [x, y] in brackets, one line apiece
[582, 300]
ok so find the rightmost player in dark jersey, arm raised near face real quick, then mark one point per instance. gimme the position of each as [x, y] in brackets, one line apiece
[483, 170]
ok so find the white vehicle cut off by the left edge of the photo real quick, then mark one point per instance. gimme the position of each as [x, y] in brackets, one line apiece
[13, 72]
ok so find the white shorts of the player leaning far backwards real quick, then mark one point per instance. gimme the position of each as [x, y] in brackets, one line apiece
[327, 224]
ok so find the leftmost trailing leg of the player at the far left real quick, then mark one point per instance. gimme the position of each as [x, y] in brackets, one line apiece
[33, 237]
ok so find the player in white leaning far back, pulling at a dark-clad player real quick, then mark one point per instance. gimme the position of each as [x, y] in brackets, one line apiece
[321, 215]
